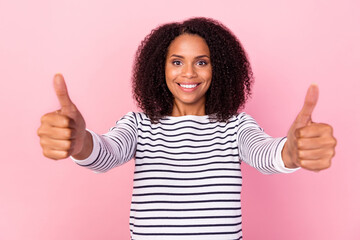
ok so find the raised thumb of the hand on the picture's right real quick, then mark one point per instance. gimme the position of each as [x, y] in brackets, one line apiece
[312, 95]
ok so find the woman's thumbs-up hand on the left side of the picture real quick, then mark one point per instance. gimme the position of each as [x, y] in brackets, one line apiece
[62, 133]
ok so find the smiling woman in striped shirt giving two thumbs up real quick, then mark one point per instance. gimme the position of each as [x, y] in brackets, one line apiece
[189, 79]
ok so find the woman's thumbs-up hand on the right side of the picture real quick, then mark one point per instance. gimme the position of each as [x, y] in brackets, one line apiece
[309, 145]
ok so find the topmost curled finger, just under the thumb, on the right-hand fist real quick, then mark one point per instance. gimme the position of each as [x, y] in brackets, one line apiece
[314, 130]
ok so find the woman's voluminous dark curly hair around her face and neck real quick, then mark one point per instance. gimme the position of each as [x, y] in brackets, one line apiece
[232, 76]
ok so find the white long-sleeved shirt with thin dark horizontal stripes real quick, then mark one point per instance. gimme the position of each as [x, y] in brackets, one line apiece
[187, 180]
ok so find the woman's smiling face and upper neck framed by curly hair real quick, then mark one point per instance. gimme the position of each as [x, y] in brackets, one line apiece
[188, 70]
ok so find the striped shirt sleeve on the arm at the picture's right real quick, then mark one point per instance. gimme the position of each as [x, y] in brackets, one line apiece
[258, 149]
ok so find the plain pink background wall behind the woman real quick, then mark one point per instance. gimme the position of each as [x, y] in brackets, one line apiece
[290, 44]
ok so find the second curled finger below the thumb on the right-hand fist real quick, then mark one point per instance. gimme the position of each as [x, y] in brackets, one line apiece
[315, 143]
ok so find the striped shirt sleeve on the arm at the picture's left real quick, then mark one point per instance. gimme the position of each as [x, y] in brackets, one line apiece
[114, 148]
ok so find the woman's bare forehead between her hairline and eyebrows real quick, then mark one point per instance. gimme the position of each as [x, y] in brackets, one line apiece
[189, 45]
